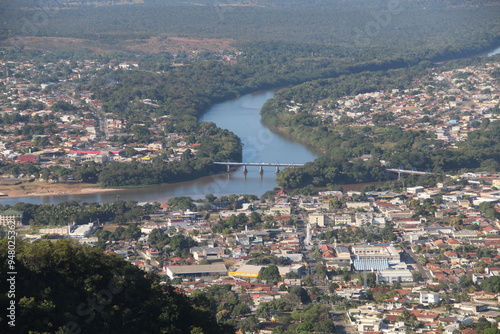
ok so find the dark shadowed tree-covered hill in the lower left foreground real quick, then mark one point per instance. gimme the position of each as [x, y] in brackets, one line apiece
[66, 288]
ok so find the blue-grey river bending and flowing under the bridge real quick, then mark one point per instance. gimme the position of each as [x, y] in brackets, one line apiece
[241, 116]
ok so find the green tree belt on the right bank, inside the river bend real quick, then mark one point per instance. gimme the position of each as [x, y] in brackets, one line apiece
[407, 149]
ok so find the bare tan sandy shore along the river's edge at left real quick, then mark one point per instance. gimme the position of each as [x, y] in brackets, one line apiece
[37, 188]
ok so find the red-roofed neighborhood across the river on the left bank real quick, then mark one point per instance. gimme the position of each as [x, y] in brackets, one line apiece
[49, 121]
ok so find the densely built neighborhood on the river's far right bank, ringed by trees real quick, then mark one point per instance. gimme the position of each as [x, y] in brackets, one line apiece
[449, 104]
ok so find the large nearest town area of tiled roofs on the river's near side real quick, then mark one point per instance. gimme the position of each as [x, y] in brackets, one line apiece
[420, 258]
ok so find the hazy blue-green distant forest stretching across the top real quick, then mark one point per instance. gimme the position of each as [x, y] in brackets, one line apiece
[388, 26]
